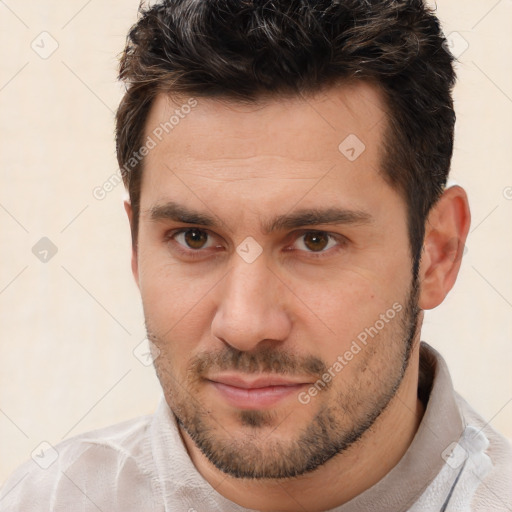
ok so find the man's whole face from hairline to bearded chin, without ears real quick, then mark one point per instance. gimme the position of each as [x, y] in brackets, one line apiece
[275, 274]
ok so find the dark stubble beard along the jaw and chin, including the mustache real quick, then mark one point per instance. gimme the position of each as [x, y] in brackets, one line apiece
[260, 453]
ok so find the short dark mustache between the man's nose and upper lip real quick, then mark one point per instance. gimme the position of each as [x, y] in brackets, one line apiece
[266, 360]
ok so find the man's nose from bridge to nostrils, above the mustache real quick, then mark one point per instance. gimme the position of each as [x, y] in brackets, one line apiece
[251, 308]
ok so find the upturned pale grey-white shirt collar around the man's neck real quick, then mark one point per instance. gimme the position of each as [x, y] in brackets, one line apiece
[442, 424]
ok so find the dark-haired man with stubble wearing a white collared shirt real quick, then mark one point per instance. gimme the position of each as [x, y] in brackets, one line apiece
[286, 164]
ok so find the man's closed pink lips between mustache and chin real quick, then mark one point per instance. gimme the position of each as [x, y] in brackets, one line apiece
[258, 393]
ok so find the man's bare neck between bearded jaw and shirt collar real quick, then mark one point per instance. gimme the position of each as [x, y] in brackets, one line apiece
[344, 476]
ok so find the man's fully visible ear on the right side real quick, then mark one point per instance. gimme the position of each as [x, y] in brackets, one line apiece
[446, 231]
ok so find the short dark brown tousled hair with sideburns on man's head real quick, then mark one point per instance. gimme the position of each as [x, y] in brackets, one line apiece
[249, 49]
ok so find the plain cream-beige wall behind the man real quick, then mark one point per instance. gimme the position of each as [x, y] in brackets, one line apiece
[69, 326]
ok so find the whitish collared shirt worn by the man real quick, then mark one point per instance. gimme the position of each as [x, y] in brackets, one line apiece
[456, 462]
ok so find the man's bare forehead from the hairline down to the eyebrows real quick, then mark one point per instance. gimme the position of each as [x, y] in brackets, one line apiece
[333, 137]
